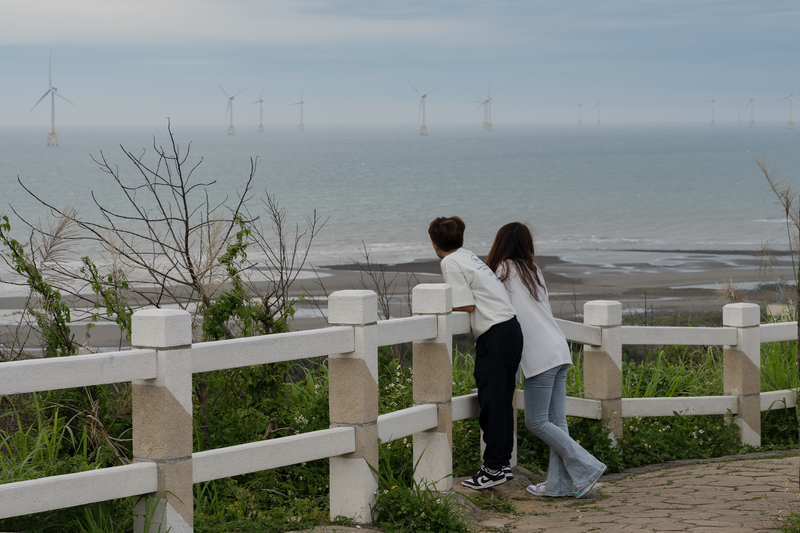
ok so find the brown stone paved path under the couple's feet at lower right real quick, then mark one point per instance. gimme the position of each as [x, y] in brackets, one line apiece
[740, 495]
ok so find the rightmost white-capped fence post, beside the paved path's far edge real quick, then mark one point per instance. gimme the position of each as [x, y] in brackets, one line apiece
[742, 368]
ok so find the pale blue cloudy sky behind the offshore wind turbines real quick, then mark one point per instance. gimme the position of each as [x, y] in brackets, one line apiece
[137, 62]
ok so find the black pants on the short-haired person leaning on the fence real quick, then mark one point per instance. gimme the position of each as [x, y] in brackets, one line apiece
[497, 356]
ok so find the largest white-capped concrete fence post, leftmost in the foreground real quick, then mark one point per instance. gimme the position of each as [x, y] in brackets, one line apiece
[162, 420]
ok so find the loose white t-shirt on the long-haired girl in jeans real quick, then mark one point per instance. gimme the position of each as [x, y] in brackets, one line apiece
[544, 345]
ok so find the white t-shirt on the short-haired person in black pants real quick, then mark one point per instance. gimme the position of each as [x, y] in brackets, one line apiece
[474, 283]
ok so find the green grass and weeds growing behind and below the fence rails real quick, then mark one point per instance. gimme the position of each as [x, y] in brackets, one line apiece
[37, 439]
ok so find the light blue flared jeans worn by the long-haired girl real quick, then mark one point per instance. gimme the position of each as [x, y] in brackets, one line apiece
[571, 467]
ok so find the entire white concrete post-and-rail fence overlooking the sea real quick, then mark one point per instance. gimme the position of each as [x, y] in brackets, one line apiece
[163, 359]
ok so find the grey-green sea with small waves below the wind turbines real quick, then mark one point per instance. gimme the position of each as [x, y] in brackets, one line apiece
[589, 192]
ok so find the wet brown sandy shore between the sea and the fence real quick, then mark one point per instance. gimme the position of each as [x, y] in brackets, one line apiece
[662, 282]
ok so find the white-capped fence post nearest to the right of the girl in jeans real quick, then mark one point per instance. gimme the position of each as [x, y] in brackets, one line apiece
[602, 365]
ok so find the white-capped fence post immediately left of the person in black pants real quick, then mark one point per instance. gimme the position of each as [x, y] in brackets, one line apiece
[433, 384]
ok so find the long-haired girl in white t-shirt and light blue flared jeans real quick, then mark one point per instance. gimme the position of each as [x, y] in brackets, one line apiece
[545, 360]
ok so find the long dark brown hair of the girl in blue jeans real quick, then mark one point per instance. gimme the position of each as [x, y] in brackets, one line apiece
[514, 243]
